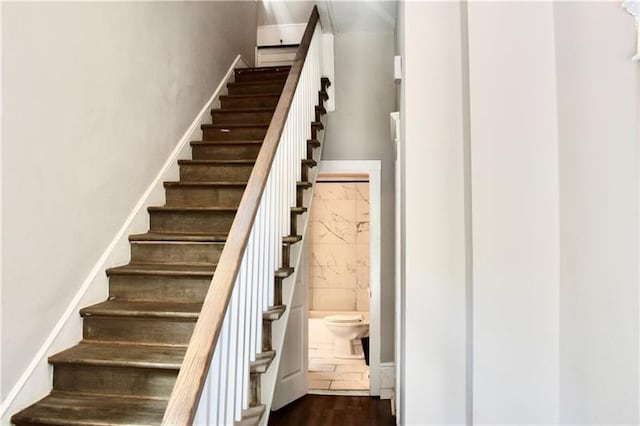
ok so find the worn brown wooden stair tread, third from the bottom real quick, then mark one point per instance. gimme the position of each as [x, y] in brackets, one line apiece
[147, 309]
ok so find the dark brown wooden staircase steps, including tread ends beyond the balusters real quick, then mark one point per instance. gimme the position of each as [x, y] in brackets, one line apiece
[125, 368]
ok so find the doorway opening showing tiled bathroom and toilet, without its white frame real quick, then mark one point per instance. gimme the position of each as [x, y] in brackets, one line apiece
[339, 289]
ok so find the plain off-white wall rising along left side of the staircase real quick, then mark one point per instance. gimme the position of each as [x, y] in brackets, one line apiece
[95, 97]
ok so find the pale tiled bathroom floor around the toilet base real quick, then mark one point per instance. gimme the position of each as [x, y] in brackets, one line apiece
[327, 373]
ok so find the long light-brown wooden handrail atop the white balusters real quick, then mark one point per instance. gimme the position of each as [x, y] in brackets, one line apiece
[185, 397]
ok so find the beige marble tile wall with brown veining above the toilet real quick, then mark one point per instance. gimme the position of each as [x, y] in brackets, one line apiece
[340, 247]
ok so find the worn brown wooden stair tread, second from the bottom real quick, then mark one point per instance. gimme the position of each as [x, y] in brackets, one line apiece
[122, 355]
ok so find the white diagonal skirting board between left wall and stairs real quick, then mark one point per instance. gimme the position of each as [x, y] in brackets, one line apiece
[113, 250]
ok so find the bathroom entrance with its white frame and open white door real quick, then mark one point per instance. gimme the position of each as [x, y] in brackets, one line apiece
[318, 355]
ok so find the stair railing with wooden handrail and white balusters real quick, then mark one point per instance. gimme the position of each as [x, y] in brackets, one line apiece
[213, 386]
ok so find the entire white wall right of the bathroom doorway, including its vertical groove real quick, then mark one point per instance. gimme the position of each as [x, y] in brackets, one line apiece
[553, 107]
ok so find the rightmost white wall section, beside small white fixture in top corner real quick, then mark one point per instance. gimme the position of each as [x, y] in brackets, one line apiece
[598, 133]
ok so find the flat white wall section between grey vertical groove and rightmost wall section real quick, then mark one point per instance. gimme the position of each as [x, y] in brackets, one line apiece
[514, 172]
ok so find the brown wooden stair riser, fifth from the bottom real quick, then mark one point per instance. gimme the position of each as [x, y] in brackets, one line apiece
[186, 222]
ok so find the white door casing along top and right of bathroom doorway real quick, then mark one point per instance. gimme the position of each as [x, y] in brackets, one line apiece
[373, 168]
